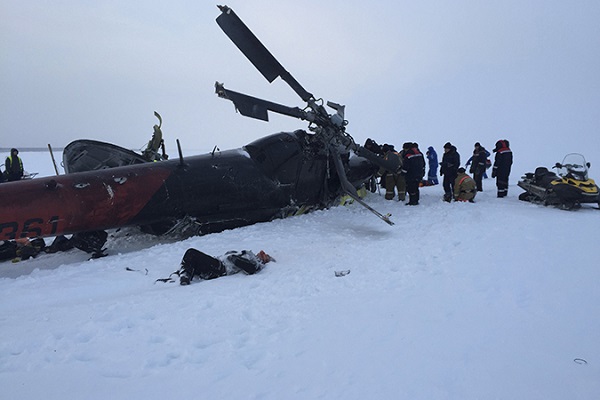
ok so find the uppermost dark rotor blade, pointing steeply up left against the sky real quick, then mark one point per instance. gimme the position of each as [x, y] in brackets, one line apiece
[256, 52]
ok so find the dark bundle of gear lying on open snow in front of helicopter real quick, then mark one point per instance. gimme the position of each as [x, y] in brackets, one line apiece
[197, 263]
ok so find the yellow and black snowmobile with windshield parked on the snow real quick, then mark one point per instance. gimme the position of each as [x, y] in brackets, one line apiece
[567, 190]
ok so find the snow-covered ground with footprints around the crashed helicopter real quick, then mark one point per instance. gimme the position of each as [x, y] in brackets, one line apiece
[493, 300]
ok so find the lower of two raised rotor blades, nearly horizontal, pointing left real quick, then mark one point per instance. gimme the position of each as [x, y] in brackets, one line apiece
[257, 108]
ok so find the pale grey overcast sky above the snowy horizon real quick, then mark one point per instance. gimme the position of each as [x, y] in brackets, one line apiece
[424, 71]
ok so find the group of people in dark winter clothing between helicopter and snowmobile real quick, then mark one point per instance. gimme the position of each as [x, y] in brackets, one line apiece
[457, 184]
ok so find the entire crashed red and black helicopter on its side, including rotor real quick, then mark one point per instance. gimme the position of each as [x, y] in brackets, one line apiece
[287, 173]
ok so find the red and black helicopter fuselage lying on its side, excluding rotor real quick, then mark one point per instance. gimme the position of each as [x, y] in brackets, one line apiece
[272, 177]
